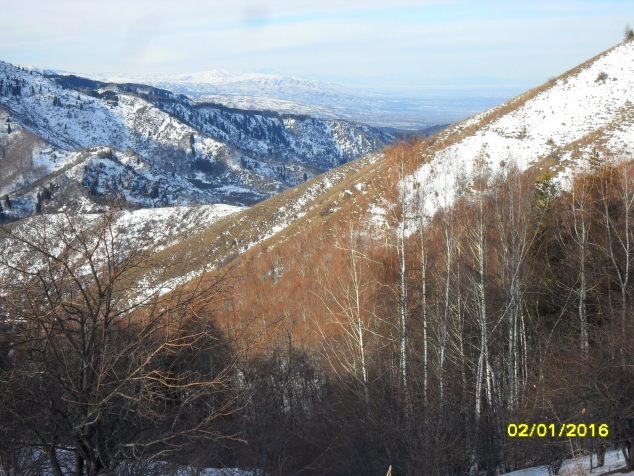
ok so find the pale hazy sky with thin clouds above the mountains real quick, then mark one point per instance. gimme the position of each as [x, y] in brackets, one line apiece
[365, 43]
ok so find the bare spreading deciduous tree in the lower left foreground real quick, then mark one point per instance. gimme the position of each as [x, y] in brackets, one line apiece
[106, 363]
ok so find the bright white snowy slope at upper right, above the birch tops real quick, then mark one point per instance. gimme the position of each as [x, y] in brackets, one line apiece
[554, 127]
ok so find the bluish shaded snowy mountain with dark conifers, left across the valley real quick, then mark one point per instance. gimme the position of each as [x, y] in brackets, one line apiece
[157, 148]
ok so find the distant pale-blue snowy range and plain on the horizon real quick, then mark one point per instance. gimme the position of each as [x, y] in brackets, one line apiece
[287, 94]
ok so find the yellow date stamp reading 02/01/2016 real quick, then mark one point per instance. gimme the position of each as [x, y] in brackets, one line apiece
[558, 430]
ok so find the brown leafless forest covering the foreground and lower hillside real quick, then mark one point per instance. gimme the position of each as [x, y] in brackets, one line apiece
[345, 349]
